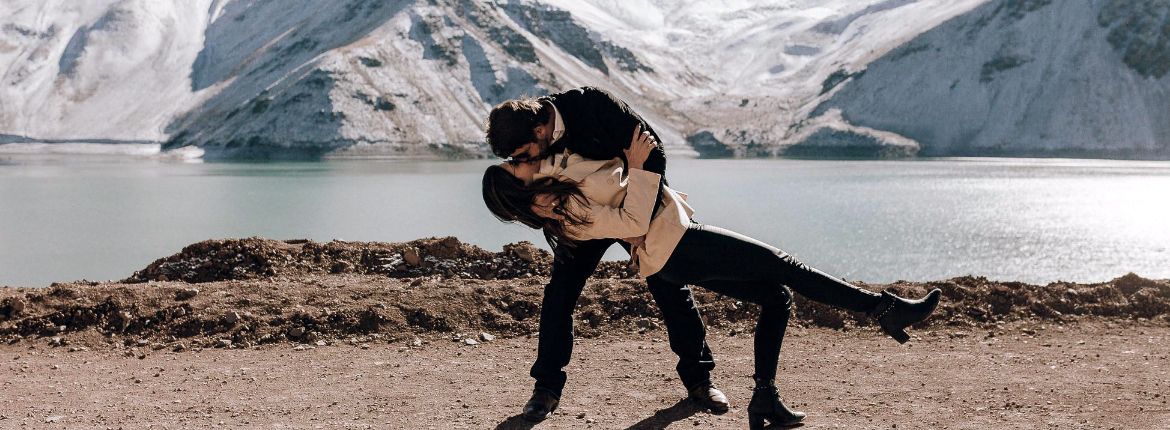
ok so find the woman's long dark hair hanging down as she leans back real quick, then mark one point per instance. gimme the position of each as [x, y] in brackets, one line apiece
[511, 200]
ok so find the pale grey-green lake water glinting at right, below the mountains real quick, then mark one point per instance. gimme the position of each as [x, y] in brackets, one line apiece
[1037, 221]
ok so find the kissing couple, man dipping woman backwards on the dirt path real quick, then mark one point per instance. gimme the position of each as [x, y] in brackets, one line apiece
[588, 171]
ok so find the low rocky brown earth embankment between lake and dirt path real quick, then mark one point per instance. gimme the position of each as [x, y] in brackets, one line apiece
[249, 293]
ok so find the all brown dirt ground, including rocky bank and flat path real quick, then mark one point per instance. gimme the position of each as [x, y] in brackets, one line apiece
[438, 335]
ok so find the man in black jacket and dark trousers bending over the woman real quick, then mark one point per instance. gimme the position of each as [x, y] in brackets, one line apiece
[597, 126]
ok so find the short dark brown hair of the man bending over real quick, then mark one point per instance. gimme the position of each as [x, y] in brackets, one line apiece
[511, 124]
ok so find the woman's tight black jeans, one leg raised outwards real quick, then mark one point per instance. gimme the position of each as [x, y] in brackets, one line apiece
[749, 271]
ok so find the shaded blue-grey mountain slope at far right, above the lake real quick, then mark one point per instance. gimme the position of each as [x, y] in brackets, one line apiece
[1036, 78]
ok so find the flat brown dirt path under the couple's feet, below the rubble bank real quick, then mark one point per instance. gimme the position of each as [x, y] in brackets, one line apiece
[1095, 374]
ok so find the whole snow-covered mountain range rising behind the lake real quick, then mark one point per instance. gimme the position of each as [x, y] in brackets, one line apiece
[276, 79]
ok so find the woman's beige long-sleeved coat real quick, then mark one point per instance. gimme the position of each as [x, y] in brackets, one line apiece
[621, 204]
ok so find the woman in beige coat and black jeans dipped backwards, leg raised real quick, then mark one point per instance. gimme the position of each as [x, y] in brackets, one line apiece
[574, 199]
